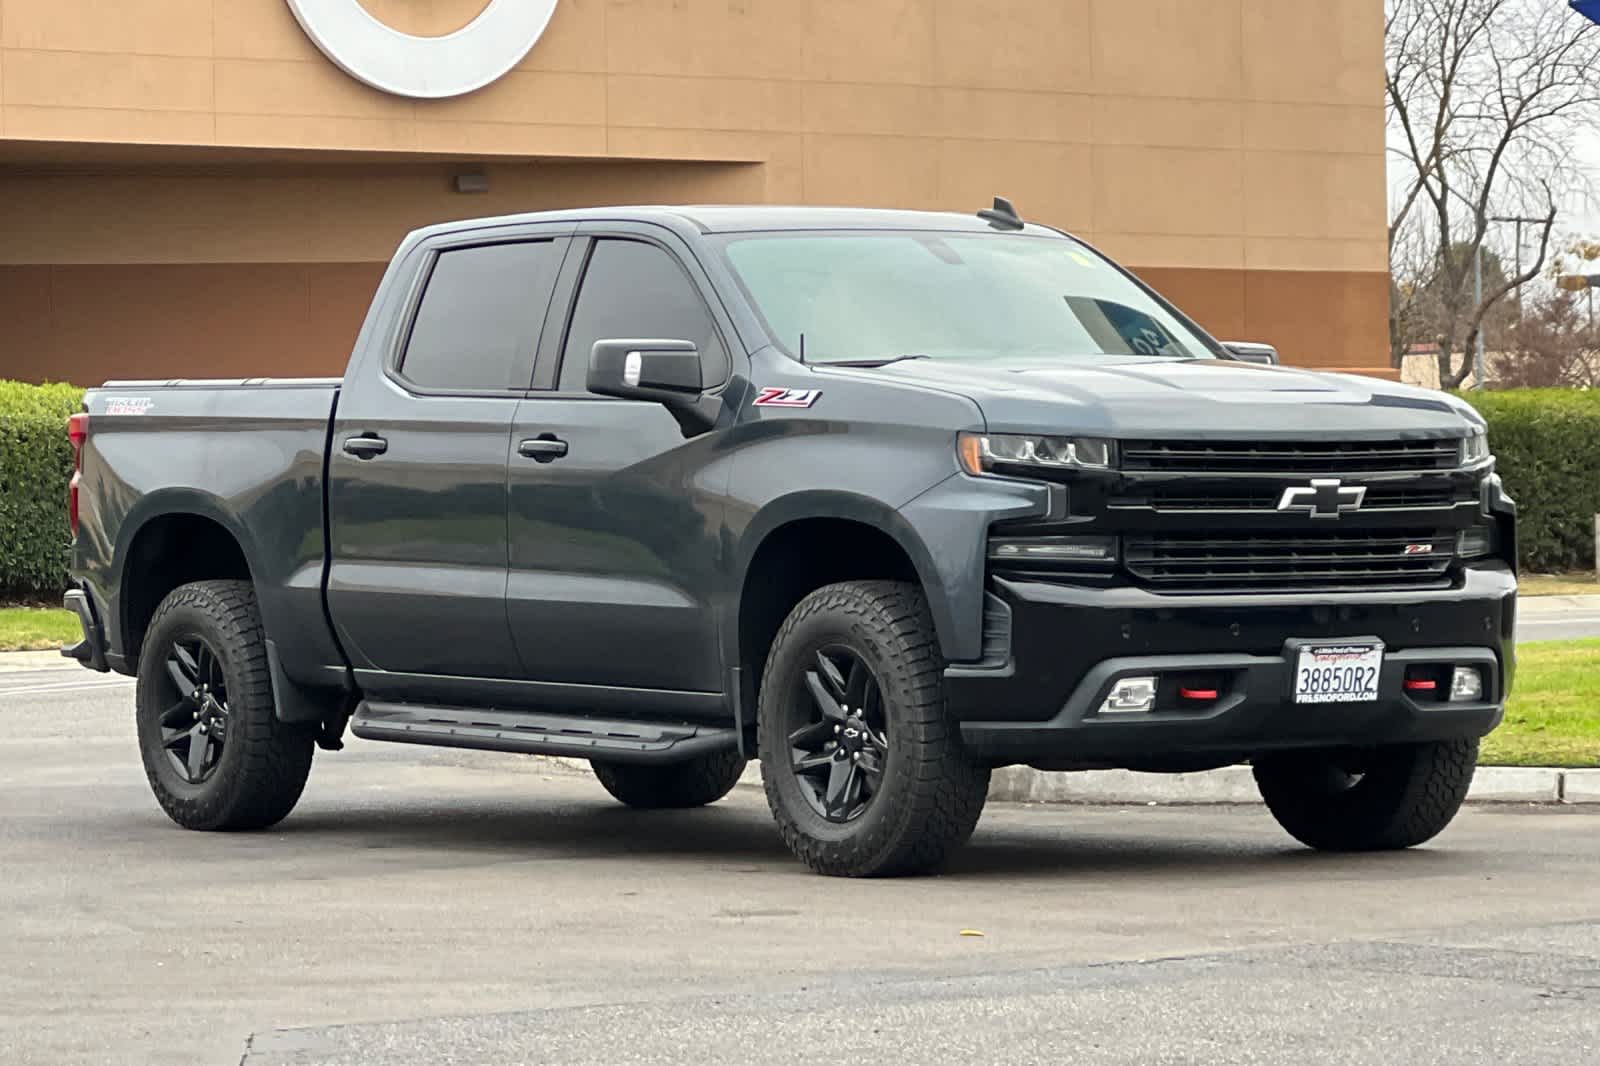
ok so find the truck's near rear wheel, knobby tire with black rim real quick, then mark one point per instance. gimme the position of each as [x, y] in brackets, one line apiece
[214, 748]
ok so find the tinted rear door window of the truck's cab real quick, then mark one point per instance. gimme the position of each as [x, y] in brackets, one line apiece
[481, 318]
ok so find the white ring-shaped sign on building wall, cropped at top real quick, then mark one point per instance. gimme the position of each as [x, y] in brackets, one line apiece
[428, 68]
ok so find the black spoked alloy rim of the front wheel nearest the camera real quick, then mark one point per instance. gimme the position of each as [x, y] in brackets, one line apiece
[839, 739]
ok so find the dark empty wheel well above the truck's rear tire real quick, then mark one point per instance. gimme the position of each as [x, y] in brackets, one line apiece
[167, 553]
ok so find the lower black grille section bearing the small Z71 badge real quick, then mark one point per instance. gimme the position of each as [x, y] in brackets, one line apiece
[1290, 561]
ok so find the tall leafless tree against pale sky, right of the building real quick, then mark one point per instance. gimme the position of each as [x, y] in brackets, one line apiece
[1484, 98]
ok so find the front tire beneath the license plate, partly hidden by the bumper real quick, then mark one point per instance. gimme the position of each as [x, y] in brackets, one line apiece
[1407, 796]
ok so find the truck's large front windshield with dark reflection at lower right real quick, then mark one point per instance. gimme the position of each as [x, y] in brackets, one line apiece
[866, 297]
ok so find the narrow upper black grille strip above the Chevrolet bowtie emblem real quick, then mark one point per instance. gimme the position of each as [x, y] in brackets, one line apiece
[1298, 459]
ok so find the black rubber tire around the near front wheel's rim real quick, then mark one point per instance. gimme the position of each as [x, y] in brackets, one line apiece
[932, 795]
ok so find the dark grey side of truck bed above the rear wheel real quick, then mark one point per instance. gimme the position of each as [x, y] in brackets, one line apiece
[247, 455]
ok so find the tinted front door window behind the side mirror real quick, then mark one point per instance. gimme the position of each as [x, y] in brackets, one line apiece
[638, 292]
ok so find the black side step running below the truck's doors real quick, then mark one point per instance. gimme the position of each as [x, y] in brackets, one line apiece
[538, 734]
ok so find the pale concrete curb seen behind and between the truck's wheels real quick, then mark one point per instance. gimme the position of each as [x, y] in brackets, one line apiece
[1230, 785]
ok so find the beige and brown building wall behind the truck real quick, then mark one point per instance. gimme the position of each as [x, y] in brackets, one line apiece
[190, 186]
